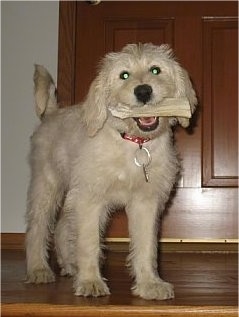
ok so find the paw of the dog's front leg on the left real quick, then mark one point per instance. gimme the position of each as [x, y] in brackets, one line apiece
[93, 288]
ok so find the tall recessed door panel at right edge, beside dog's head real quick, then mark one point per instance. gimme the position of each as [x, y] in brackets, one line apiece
[220, 165]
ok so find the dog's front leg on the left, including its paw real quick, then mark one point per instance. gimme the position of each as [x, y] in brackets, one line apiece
[88, 280]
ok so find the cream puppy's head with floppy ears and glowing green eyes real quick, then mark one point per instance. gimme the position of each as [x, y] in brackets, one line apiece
[139, 75]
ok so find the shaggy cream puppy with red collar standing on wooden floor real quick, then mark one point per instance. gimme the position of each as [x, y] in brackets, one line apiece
[85, 162]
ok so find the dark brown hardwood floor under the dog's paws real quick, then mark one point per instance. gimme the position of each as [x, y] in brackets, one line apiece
[205, 285]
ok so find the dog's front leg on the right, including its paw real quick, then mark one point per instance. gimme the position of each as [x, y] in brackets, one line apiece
[142, 216]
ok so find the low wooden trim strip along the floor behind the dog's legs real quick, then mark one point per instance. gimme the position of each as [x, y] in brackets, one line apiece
[16, 241]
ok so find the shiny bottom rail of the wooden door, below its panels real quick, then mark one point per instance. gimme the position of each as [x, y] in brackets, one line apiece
[194, 213]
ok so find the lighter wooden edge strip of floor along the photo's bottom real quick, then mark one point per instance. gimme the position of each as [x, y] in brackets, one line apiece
[44, 310]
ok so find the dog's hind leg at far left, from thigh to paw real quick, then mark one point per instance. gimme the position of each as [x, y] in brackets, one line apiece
[43, 198]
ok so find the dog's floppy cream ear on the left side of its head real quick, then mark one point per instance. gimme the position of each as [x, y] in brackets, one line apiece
[94, 107]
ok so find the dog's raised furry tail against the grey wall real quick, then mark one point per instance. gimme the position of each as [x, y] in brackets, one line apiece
[44, 91]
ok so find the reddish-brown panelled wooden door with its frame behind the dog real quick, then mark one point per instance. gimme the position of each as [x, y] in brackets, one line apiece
[204, 38]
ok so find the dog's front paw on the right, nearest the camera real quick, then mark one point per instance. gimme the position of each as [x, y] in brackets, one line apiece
[158, 290]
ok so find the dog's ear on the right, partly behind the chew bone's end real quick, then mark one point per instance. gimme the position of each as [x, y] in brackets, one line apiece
[184, 89]
